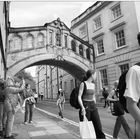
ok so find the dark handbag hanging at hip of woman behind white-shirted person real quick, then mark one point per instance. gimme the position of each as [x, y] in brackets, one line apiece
[116, 108]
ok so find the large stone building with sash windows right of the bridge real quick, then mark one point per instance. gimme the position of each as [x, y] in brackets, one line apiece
[112, 27]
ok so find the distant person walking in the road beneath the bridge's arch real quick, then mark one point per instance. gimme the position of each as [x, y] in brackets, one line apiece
[60, 102]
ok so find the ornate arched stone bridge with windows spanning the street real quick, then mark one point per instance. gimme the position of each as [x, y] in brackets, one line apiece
[52, 44]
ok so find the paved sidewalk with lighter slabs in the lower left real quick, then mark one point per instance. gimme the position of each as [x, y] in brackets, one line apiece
[43, 127]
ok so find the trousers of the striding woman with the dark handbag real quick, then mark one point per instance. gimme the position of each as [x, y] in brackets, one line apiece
[120, 120]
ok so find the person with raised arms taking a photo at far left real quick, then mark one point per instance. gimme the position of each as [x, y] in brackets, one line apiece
[11, 100]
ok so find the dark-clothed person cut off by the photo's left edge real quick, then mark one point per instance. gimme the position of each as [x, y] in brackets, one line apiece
[2, 98]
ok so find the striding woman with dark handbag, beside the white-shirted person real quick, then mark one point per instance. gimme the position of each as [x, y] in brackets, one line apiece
[118, 111]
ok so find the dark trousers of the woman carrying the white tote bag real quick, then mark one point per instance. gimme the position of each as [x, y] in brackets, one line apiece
[93, 115]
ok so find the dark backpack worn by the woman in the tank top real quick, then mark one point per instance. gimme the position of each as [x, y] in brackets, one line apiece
[74, 97]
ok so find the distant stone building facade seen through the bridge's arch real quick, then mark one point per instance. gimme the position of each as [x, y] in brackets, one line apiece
[50, 79]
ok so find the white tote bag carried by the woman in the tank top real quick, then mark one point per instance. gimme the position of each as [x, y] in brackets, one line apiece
[87, 129]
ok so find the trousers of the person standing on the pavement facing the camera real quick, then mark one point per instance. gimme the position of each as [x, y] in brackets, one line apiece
[28, 112]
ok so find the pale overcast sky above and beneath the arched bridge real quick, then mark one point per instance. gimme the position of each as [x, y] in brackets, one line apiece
[23, 14]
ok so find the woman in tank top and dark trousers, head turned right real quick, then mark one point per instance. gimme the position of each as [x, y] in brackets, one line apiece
[88, 103]
